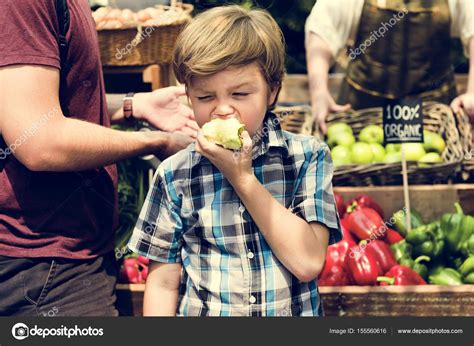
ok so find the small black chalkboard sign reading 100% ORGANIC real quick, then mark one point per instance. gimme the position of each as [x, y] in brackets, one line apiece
[403, 121]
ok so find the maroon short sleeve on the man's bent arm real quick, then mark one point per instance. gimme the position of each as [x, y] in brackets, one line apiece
[29, 33]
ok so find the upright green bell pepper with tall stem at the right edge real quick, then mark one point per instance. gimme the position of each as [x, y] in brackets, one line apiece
[458, 229]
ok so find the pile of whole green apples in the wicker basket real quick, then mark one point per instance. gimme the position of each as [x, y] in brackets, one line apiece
[345, 150]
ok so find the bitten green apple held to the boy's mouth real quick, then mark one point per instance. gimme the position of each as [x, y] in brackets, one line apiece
[225, 133]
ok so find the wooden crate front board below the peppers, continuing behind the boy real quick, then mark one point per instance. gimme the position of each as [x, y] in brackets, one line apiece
[352, 301]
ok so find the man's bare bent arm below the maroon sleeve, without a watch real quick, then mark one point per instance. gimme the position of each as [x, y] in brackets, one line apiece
[27, 92]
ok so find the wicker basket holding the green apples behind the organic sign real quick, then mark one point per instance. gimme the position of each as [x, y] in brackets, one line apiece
[437, 118]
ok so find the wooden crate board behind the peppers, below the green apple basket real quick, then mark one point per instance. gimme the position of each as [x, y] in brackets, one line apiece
[431, 201]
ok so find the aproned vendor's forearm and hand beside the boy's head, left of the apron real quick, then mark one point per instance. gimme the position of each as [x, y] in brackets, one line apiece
[319, 60]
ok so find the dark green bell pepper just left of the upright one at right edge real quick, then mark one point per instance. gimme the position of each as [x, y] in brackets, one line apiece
[427, 240]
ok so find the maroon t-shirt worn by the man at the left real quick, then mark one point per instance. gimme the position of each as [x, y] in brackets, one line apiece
[43, 214]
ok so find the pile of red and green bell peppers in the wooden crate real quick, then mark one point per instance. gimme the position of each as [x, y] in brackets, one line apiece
[372, 253]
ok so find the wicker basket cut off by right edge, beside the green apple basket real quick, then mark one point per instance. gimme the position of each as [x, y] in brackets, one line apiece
[466, 134]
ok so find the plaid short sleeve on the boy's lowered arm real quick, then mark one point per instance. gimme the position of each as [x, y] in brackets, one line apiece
[159, 229]
